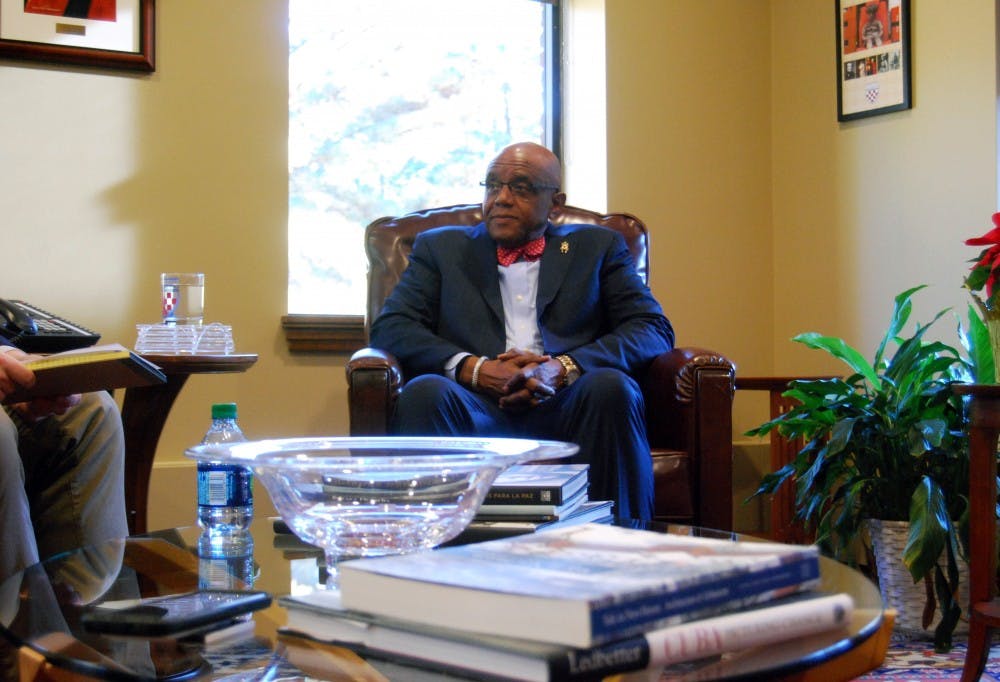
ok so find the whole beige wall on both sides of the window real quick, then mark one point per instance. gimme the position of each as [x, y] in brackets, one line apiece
[722, 134]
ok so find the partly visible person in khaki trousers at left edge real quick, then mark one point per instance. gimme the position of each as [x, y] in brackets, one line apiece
[62, 470]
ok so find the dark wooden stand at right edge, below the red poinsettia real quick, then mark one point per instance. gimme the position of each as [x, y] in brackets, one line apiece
[984, 607]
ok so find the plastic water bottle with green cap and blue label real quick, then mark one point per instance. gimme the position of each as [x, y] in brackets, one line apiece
[225, 491]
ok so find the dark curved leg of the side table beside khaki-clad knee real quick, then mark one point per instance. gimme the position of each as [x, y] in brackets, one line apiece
[144, 412]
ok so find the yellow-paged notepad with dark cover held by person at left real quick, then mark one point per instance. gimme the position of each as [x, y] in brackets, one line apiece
[84, 370]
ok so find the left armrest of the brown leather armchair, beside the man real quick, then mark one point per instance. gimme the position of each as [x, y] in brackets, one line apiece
[374, 380]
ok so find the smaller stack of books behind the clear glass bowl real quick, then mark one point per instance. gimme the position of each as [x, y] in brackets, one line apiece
[530, 497]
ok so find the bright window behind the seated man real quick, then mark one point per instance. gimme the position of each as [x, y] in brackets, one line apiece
[397, 105]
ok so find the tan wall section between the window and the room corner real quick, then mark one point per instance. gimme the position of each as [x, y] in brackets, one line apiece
[689, 150]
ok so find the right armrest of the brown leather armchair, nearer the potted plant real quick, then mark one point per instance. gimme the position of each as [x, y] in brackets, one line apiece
[689, 408]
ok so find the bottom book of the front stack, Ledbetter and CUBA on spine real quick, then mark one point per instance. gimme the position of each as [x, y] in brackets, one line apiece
[318, 617]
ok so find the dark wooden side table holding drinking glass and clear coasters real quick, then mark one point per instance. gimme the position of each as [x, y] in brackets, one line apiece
[144, 412]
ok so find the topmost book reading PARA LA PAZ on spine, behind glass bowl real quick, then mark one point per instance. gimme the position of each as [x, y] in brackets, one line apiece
[538, 484]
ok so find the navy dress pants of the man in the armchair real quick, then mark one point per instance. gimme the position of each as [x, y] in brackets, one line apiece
[602, 412]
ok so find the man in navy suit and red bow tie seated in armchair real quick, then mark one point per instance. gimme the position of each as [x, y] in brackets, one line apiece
[517, 327]
